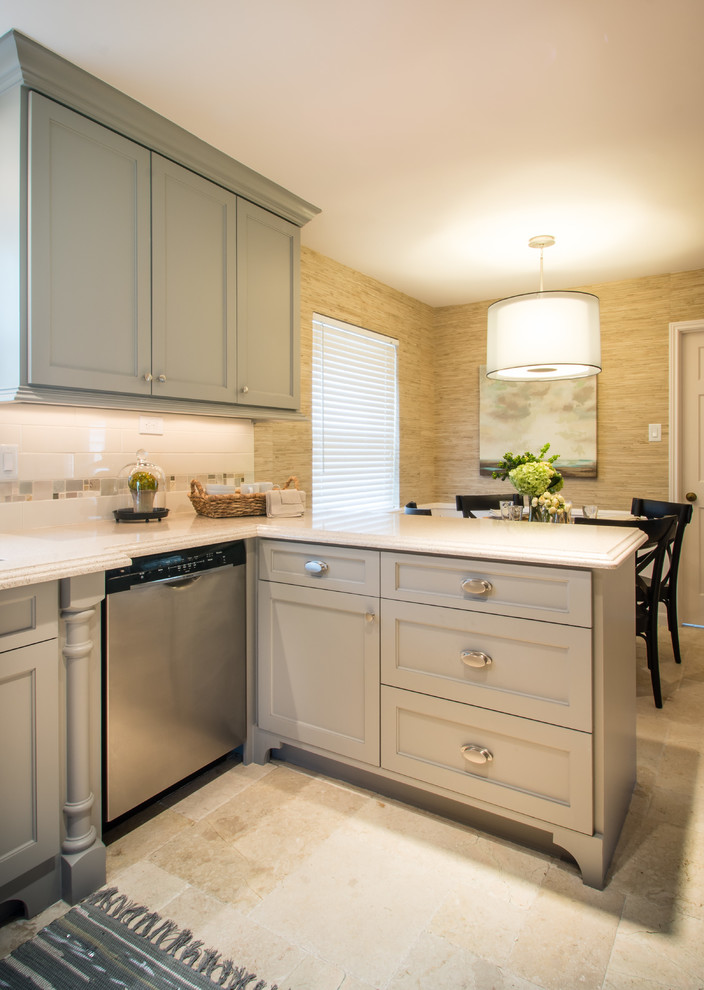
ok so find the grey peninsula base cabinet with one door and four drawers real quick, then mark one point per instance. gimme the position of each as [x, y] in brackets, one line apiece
[508, 688]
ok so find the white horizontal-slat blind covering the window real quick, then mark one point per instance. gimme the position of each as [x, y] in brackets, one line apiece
[355, 417]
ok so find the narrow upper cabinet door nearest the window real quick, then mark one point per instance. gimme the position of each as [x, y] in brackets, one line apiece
[268, 309]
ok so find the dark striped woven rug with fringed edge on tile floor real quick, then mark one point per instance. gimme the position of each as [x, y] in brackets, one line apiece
[110, 943]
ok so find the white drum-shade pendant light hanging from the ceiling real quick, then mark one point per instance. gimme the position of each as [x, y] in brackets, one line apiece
[543, 336]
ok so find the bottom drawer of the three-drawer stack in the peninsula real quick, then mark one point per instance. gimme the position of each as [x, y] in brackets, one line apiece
[540, 770]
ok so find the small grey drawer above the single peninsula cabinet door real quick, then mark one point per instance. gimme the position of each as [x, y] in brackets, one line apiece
[316, 566]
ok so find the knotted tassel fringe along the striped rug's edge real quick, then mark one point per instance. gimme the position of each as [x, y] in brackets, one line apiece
[149, 925]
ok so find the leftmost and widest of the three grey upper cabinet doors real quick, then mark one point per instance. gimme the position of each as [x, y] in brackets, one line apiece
[89, 300]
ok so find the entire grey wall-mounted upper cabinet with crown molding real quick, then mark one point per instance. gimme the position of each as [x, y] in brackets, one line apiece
[142, 267]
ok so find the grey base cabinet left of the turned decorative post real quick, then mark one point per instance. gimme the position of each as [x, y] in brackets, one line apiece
[29, 740]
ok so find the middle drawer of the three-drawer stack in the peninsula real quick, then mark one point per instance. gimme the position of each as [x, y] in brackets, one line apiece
[540, 670]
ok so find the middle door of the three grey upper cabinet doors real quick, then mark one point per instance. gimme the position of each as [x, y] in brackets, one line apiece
[194, 271]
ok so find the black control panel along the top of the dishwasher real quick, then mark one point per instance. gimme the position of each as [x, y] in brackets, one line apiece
[175, 564]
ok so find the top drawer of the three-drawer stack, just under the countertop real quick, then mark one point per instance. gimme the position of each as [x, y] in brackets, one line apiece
[521, 590]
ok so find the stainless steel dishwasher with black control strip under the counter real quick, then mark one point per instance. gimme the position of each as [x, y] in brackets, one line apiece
[173, 670]
